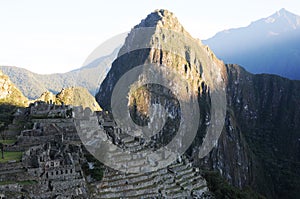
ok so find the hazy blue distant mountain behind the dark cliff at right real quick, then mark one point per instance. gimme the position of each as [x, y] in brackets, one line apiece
[269, 45]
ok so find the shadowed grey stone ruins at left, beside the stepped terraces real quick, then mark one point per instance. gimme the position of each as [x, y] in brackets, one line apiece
[51, 164]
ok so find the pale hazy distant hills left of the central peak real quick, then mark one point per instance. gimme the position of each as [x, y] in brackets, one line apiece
[33, 84]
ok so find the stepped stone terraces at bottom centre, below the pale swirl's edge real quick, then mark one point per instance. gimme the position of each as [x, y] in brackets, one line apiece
[179, 180]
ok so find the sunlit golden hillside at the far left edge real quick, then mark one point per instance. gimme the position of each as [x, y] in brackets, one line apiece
[9, 93]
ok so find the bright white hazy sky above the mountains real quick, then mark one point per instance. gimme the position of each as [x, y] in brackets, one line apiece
[58, 35]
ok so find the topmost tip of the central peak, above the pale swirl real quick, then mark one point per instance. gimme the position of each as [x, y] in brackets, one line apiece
[161, 18]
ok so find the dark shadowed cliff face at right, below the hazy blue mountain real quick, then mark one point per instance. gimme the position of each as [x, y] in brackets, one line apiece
[266, 110]
